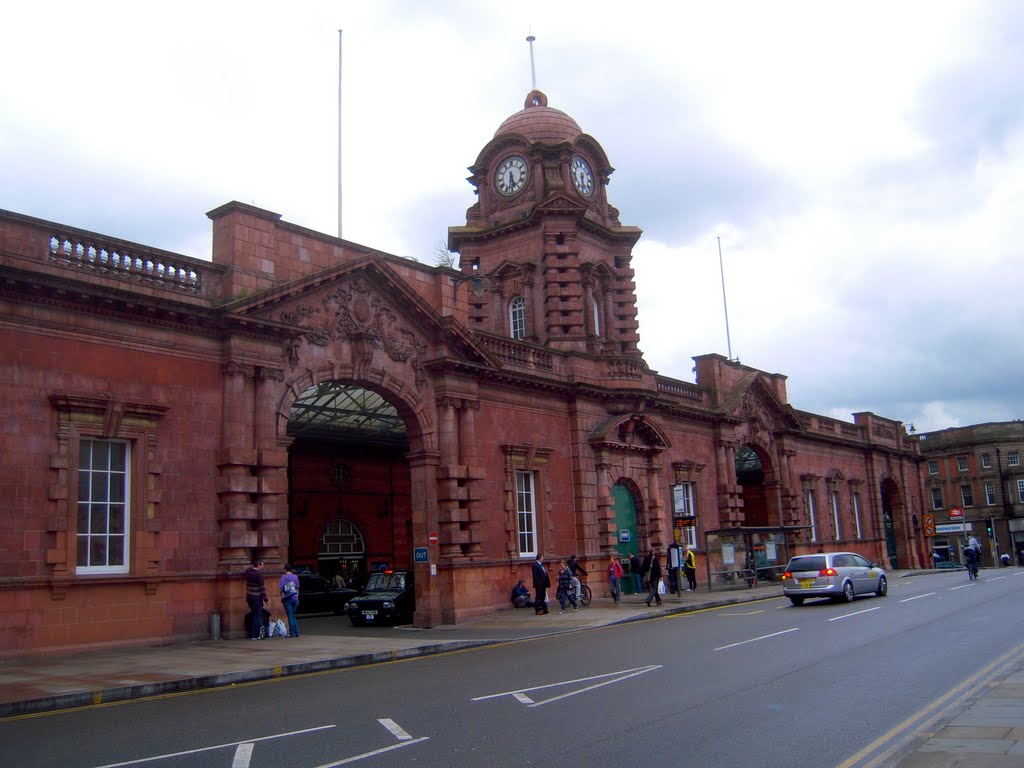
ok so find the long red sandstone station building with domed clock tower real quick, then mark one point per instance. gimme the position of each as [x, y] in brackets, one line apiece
[307, 399]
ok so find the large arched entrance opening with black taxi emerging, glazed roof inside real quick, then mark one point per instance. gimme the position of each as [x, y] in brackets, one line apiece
[350, 483]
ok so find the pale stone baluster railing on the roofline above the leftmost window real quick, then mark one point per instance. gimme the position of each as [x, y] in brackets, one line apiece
[159, 270]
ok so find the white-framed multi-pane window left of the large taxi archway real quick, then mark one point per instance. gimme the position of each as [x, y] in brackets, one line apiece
[103, 507]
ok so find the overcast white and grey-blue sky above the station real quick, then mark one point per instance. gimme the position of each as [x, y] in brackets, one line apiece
[863, 164]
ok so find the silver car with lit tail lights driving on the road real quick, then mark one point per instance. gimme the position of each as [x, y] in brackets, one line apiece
[841, 576]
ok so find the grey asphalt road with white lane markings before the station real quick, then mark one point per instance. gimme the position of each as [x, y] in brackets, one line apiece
[759, 685]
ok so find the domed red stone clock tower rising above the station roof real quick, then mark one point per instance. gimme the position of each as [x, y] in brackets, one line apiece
[550, 263]
